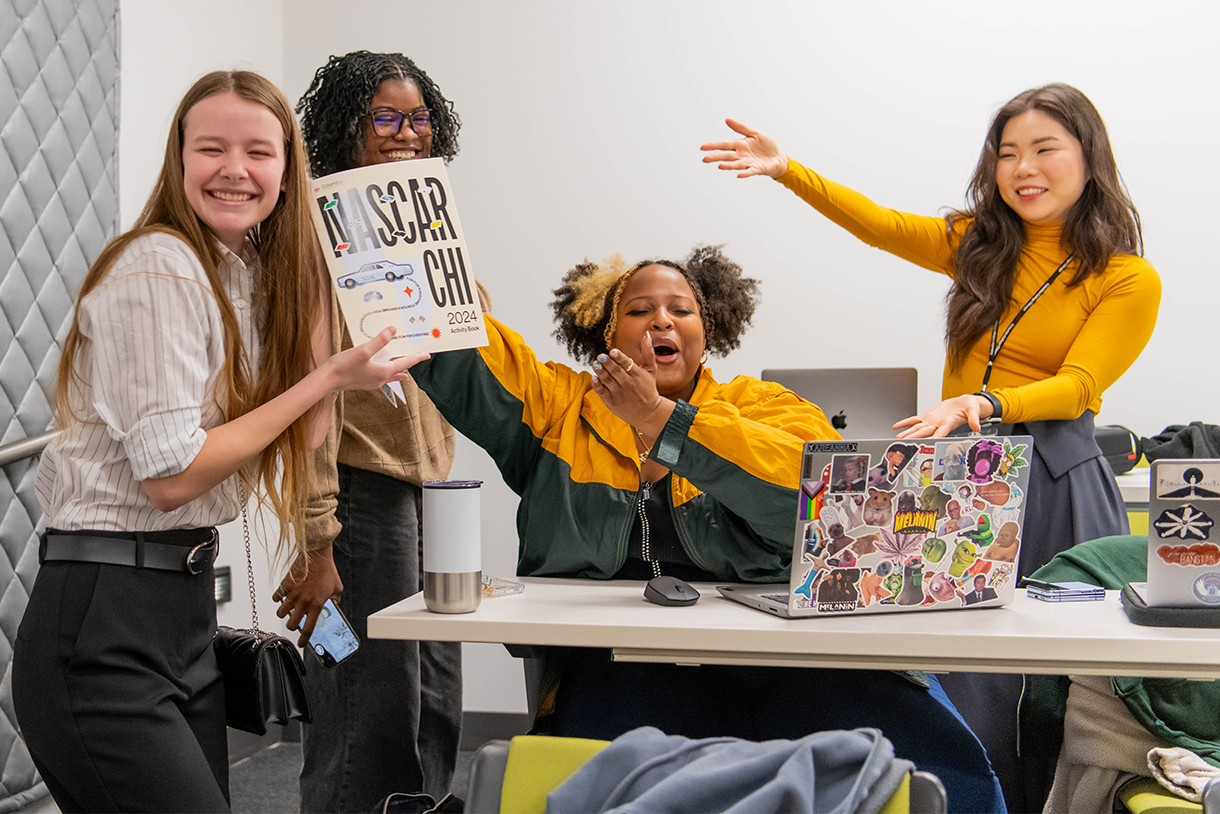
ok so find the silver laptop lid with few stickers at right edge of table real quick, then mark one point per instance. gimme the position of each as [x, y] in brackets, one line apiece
[1184, 552]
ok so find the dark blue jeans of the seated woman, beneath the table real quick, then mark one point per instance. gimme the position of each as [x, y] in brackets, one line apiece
[600, 699]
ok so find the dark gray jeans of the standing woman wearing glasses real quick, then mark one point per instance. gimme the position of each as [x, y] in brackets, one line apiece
[390, 718]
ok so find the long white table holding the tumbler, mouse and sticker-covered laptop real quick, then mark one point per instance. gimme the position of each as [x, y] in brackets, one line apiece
[1027, 636]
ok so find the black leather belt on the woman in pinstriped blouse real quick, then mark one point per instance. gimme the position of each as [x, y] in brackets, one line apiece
[135, 550]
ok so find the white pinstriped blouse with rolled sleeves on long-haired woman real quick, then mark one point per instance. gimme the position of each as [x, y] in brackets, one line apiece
[152, 350]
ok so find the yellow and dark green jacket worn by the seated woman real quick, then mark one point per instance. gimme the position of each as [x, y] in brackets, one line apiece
[735, 453]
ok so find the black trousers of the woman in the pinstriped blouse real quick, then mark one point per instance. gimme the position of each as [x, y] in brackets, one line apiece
[118, 693]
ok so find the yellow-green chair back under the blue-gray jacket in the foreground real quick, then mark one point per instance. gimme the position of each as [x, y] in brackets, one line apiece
[515, 778]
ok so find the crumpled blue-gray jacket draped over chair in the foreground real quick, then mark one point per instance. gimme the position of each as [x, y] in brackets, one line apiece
[647, 772]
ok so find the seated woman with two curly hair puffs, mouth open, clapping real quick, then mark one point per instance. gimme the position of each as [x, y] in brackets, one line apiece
[646, 467]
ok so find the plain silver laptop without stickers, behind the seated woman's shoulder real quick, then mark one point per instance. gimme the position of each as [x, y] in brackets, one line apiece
[859, 402]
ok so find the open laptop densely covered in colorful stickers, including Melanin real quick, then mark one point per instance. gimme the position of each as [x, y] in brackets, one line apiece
[890, 527]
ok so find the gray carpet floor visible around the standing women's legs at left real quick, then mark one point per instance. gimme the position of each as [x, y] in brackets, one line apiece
[267, 783]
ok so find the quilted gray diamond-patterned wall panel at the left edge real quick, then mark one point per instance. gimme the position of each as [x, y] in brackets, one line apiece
[59, 206]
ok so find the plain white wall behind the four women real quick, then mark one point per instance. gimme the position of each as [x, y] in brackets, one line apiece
[581, 134]
